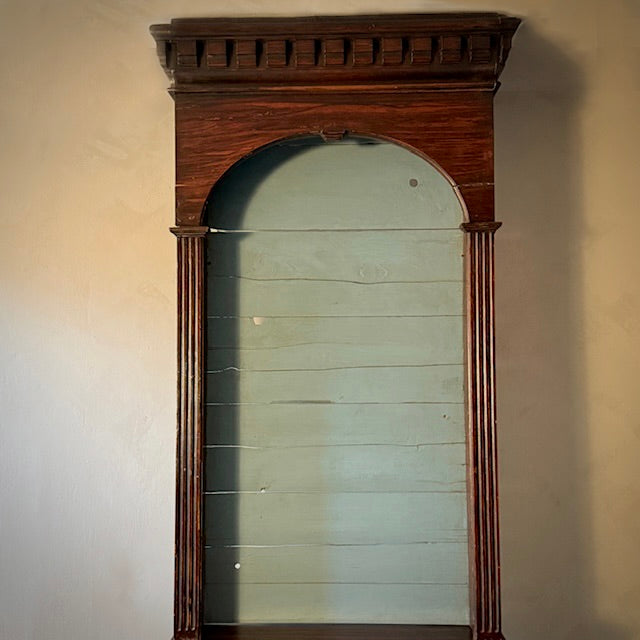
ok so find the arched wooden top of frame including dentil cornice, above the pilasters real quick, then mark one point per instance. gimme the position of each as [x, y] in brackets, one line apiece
[423, 81]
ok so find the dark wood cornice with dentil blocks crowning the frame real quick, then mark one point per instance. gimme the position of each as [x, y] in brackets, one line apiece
[377, 53]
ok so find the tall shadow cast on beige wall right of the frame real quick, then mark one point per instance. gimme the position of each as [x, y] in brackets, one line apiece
[547, 539]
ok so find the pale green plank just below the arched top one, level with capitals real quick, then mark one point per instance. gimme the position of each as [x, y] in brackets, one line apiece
[353, 256]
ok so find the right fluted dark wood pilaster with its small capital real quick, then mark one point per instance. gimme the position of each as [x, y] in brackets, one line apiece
[483, 481]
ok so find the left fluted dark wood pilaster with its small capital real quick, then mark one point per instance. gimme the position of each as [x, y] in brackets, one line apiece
[189, 459]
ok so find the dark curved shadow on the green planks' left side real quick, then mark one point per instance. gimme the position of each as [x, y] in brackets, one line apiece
[225, 209]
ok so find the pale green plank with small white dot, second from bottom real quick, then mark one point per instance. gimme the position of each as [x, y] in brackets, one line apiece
[386, 564]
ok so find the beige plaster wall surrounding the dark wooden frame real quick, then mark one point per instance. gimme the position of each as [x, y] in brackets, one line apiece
[87, 316]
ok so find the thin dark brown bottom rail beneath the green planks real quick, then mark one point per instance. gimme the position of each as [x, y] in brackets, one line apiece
[335, 632]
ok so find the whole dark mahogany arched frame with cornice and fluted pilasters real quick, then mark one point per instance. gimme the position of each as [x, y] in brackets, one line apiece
[425, 82]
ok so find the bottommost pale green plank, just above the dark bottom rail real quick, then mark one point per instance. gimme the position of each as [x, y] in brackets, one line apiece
[354, 603]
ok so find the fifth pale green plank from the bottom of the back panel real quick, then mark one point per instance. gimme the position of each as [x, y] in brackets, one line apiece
[308, 425]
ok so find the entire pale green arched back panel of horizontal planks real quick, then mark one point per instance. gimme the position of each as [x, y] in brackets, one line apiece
[335, 469]
